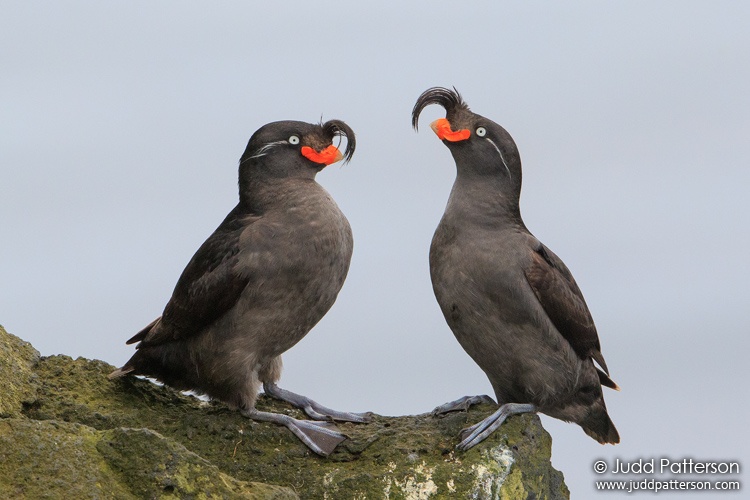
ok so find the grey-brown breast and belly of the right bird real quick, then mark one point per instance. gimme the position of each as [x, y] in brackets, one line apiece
[479, 284]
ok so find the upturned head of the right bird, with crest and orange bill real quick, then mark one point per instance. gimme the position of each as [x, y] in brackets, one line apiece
[479, 145]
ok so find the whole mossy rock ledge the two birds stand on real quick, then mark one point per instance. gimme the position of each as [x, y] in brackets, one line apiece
[66, 431]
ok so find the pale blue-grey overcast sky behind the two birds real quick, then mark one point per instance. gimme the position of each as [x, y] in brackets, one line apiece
[122, 124]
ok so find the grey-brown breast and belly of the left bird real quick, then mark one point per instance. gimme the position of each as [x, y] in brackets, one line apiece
[297, 260]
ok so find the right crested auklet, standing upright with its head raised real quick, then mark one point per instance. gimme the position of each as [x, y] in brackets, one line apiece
[510, 301]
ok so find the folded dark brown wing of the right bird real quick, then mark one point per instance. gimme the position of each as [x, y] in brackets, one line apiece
[563, 302]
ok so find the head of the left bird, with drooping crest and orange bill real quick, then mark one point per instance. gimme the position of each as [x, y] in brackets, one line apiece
[295, 149]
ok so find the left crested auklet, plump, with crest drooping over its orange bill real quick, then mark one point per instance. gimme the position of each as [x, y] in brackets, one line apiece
[269, 272]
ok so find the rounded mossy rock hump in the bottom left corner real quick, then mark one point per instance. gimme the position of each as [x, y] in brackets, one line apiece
[51, 459]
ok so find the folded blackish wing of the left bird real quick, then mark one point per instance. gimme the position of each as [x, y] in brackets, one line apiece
[208, 287]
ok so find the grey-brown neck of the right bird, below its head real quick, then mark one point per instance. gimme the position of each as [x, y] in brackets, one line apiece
[485, 199]
